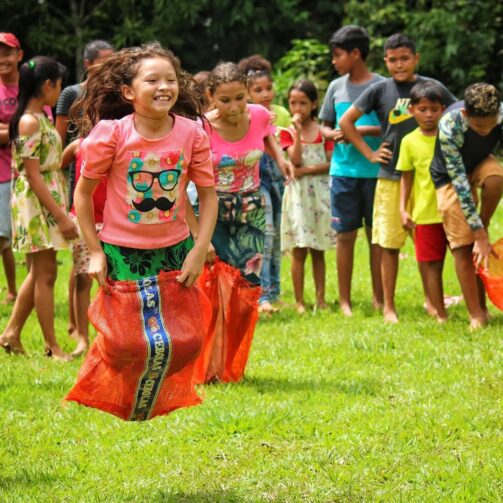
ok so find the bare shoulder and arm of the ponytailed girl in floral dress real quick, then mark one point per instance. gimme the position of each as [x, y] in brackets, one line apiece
[28, 125]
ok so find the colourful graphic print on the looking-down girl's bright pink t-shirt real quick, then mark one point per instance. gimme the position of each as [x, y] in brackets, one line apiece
[234, 174]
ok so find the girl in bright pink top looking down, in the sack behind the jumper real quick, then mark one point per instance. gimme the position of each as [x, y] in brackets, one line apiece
[239, 134]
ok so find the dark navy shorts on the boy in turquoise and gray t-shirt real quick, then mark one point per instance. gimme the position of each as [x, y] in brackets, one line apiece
[352, 202]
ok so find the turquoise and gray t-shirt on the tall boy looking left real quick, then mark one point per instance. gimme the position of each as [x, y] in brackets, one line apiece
[346, 159]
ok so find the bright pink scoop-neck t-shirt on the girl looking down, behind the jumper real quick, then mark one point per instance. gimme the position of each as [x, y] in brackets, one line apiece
[236, 163]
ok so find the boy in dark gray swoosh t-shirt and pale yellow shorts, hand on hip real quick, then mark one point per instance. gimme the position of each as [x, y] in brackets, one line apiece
[390, 99]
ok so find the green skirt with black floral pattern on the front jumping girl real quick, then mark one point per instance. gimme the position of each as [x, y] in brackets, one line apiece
[125, 264]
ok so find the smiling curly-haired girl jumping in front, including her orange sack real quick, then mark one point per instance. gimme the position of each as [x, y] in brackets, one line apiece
[148, 145]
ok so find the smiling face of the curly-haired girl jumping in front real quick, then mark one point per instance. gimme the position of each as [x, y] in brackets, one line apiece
[154, 89]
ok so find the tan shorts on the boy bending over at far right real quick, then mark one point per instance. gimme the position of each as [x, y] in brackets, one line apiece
[457, 230]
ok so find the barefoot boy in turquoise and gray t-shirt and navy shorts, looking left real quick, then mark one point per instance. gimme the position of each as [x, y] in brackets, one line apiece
[353, 176]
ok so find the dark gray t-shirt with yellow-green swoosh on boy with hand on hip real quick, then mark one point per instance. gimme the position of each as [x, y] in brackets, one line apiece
[390, 100]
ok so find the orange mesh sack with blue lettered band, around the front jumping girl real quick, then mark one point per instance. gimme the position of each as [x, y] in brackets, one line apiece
[141, 363]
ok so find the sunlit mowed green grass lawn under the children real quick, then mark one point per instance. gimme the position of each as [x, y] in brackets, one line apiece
[331, 409]
